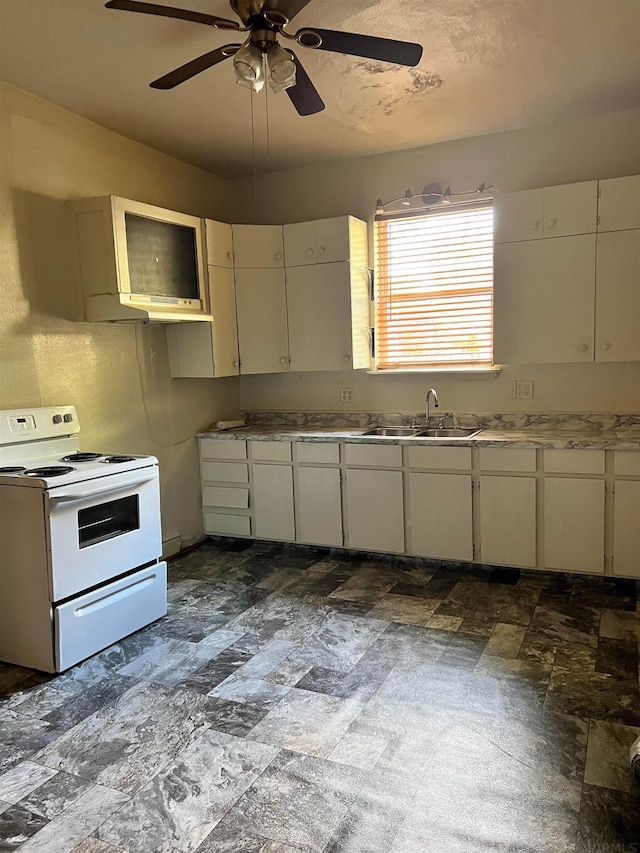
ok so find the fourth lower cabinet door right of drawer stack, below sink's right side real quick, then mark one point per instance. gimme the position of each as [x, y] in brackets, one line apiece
[441, 519]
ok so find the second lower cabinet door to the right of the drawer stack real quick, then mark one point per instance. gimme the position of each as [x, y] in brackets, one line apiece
[319, 506]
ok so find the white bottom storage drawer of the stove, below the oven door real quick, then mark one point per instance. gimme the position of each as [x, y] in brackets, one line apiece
[95, 620]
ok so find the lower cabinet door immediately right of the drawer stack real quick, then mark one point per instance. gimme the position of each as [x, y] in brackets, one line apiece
[273, 502]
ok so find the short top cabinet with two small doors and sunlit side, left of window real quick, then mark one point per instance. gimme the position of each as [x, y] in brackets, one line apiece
[325, 241]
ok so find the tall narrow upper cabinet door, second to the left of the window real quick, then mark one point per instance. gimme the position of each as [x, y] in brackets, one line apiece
[262, 321]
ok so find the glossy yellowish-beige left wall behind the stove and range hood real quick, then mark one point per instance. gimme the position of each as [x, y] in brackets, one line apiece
[116, 375]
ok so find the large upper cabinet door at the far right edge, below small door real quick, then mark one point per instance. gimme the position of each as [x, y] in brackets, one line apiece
[618, 296]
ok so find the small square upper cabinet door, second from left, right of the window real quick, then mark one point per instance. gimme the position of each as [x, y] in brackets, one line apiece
[570, 209]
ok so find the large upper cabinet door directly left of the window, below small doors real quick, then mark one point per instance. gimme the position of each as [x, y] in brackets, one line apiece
[319, 316]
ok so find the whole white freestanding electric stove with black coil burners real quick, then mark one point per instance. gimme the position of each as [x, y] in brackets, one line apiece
[80, 542]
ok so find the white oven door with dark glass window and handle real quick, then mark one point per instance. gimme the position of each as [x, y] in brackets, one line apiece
[102, 528]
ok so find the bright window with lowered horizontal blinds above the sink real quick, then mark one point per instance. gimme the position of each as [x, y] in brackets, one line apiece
[434, 288]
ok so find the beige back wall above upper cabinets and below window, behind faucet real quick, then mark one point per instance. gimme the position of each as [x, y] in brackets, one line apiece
[576, 150]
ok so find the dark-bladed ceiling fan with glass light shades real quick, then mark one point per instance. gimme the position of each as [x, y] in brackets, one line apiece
[261, 57]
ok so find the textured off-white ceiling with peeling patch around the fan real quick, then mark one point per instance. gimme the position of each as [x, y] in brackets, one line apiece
[488, 65]
